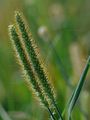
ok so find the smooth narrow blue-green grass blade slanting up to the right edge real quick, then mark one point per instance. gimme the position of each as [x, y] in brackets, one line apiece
[78, 89]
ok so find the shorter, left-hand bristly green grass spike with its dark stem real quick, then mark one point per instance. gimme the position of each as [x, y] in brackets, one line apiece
[25, 63]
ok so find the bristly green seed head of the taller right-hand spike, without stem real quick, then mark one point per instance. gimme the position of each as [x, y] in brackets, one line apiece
[27, 39]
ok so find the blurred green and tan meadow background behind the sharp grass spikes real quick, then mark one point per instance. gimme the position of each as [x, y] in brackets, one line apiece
[61, 29]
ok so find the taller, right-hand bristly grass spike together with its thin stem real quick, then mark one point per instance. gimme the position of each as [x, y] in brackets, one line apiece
[30, 47]
